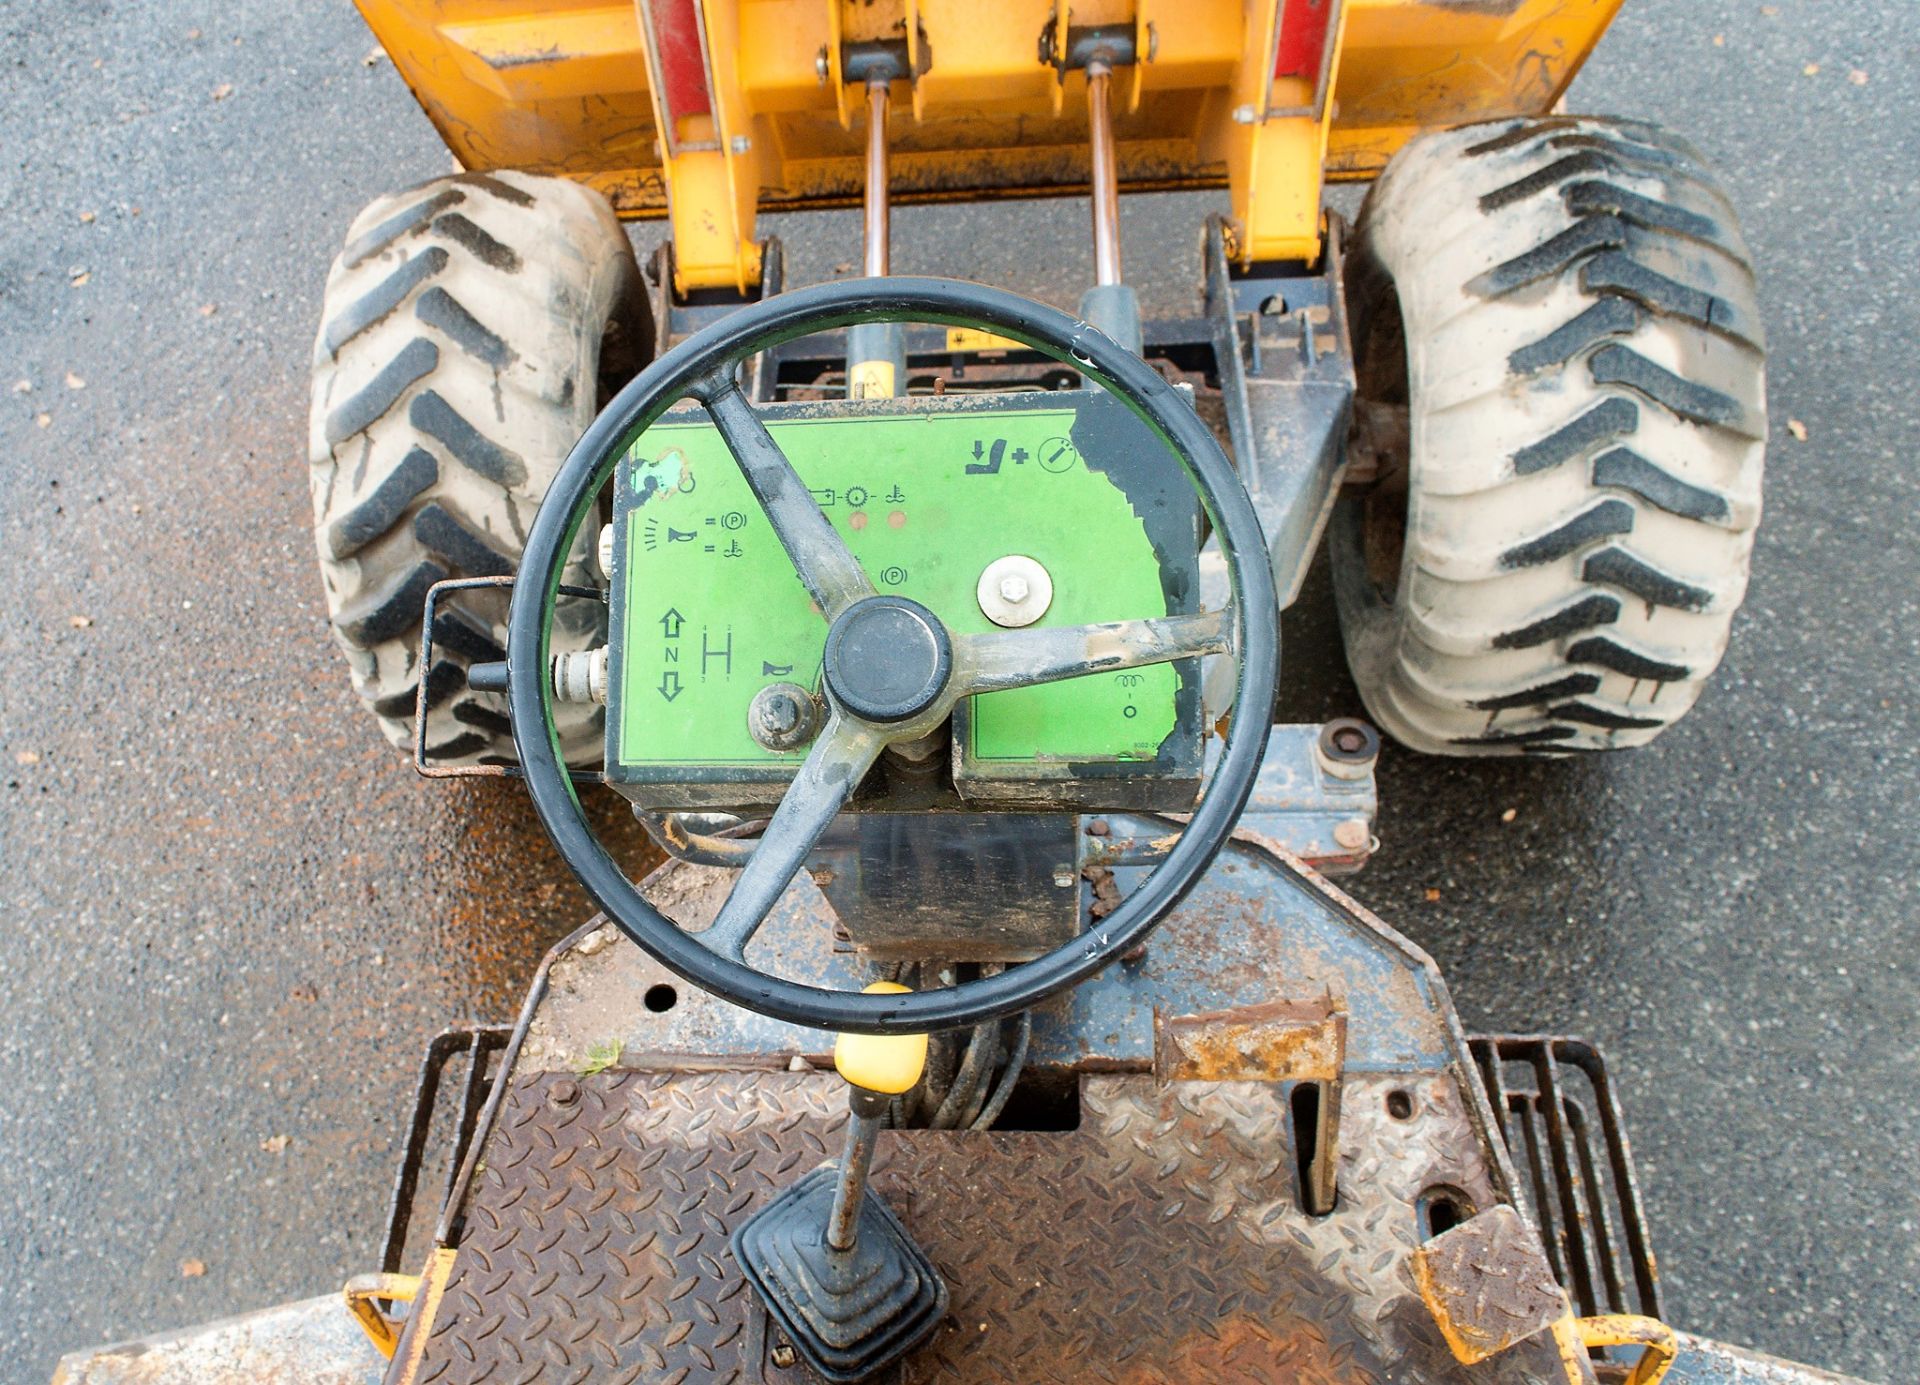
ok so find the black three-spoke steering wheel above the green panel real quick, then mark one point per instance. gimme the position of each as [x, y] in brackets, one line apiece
[892, 669]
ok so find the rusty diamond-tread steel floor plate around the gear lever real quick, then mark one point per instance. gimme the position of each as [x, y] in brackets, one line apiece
[1159, 1242]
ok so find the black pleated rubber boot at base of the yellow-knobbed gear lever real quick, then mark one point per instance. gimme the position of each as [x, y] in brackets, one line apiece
[848, 1313]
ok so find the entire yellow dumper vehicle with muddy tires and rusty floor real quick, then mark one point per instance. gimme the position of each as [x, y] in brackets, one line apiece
[988, 1011]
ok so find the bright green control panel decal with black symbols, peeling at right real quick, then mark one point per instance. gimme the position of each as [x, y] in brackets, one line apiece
[713, 610]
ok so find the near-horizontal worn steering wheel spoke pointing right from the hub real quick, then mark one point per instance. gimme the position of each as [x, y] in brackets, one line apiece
[1005, 660]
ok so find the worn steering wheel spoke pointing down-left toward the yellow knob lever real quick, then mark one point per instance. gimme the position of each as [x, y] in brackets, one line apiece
[834, 769]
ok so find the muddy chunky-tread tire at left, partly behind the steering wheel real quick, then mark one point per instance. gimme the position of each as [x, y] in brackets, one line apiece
[466, 337]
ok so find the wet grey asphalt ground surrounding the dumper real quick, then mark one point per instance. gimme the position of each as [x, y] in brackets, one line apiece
[231, 915]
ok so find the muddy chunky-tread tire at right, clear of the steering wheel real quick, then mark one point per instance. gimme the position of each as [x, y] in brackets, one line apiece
[1556, 548]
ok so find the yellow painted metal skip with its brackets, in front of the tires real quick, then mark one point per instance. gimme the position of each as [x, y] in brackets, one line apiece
[564, 87]
